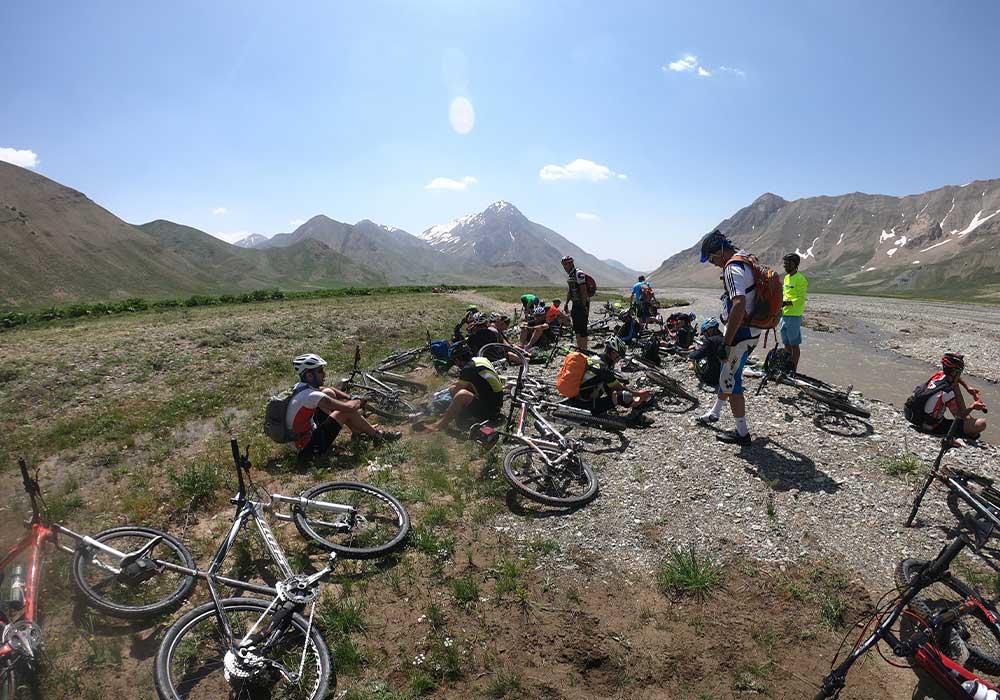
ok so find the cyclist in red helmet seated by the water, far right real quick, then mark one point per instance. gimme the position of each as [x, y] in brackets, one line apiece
[941, 395]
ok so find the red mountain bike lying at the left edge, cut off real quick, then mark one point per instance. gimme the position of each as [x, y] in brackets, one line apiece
[133, 584]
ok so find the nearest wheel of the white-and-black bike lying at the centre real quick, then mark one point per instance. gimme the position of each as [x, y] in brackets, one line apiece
[570, 481]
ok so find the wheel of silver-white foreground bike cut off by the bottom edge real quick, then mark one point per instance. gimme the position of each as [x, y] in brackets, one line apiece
[195, 661]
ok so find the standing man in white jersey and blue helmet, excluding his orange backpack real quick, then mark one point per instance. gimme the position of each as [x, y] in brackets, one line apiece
[739, 340]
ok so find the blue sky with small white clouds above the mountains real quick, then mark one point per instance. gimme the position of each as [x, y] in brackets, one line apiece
[248, 116]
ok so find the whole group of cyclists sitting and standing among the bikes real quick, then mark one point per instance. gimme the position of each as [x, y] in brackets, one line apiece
[717, 351]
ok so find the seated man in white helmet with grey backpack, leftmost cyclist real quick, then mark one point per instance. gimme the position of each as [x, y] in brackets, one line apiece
[316, 413]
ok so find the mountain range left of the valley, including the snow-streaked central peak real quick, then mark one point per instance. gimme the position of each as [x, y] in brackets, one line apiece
[58, 246]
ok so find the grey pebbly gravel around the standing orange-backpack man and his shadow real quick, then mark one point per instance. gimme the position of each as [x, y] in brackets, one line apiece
[812, 484]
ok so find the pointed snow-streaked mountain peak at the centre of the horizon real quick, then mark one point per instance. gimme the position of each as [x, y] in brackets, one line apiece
[501, 235]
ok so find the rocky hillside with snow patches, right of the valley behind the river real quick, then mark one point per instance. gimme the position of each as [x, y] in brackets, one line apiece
[939, 243]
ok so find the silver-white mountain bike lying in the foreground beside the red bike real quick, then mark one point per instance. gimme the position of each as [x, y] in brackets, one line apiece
[248, 647]
